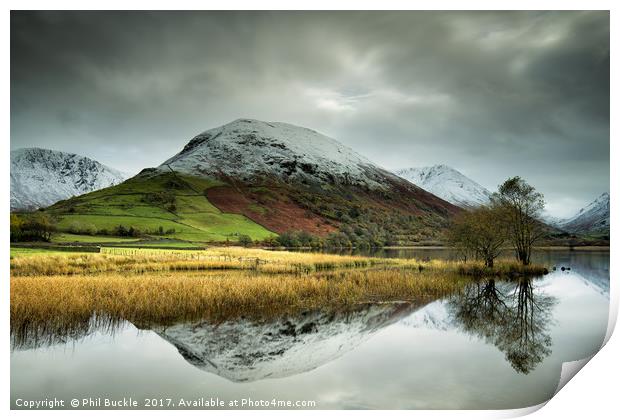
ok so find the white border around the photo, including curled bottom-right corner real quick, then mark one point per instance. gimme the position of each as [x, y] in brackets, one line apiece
[592, 394]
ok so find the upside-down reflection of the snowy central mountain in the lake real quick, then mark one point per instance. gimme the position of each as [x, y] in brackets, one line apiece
[247, 351]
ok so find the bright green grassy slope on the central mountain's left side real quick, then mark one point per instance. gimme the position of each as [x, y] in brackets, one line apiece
[194, 219]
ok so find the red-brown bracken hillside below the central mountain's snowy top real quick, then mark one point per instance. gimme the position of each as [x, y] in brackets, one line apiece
[402, 209]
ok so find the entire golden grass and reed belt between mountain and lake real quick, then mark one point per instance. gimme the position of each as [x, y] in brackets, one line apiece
[58, 296]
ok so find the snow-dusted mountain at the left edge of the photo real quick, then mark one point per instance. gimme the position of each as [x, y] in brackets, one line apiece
[41, 177]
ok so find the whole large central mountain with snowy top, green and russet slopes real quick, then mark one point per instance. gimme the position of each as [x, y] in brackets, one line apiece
[260, 178]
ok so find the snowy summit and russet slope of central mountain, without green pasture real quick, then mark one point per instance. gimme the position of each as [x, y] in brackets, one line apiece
[307, 181]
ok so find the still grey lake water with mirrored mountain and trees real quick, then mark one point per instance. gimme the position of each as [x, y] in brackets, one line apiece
[495, 345]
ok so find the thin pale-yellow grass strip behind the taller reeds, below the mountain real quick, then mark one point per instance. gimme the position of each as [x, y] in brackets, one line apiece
[133, 260]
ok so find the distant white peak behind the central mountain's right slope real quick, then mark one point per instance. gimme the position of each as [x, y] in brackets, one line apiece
[447, 183]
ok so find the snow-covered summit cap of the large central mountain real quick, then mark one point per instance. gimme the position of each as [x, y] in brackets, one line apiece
[247, 149]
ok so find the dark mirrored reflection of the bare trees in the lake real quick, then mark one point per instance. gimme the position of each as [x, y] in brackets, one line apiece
[510, 315]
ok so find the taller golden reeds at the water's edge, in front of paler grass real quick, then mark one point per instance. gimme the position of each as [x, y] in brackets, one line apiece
[63, 306]
